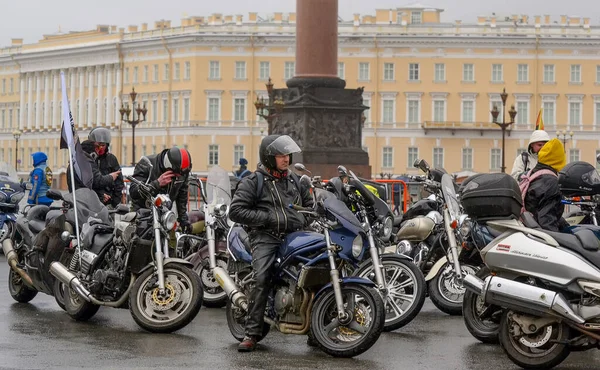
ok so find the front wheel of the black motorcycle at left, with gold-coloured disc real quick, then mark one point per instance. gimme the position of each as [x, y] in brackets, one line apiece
[171, 310]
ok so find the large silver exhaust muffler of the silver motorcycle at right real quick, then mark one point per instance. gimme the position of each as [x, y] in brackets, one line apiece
[521, 297]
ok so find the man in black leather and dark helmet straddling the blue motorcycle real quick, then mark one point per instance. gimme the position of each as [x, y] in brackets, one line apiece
[269, 218]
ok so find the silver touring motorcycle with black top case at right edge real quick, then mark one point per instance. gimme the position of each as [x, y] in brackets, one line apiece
[548, 283]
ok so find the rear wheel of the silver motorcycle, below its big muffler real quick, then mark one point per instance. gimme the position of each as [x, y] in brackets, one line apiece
[544, 348]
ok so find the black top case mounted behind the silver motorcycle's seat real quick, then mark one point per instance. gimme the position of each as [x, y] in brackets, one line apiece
[490, 196]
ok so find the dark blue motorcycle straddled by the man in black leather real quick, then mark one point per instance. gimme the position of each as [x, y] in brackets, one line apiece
[345, 315]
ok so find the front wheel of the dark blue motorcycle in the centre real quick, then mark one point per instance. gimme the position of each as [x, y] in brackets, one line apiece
[351, 335]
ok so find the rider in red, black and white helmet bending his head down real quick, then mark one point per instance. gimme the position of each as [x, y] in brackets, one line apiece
[169, 174]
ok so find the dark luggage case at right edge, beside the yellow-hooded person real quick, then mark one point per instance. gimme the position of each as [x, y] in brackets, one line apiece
[579, 179]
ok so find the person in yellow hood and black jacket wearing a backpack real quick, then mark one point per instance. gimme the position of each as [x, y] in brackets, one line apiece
[539, 188]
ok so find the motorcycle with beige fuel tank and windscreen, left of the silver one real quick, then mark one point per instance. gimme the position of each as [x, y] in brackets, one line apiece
[431, 240]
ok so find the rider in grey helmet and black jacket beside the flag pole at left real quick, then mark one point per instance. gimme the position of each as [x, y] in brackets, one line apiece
[107, 164]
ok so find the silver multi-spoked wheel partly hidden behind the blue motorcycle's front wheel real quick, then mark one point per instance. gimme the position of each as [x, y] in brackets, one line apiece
[405, 289]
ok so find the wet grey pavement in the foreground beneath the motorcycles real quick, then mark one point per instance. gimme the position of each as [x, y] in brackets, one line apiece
[39, 335]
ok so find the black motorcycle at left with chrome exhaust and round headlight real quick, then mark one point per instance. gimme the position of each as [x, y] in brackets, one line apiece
[114, 267]
